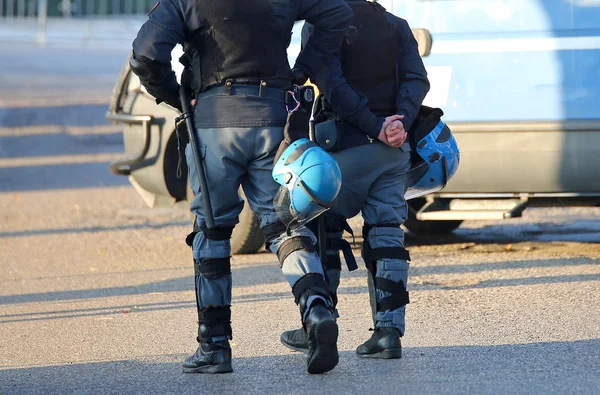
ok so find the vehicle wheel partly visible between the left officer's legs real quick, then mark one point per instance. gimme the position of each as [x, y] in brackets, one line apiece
[247, 237]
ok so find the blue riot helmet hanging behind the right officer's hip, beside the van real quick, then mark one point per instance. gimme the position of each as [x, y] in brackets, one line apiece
[435, 155]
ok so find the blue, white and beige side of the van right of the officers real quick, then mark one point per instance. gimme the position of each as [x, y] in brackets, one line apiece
[519, 83]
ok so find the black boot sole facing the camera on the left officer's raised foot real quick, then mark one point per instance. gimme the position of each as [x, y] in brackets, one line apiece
[326, 355]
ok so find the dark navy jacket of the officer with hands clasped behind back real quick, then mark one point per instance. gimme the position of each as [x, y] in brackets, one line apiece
[378, 72]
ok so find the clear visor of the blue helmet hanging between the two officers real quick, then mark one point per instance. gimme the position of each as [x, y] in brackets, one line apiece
[292, 218]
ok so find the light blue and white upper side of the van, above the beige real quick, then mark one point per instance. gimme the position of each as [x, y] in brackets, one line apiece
[511, 60]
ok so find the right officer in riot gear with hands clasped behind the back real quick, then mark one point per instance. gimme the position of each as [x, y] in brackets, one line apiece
[378, 72]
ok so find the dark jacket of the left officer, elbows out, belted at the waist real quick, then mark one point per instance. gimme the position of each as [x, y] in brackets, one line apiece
[240, 40]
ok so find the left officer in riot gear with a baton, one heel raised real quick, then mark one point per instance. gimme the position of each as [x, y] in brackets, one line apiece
[237, 67]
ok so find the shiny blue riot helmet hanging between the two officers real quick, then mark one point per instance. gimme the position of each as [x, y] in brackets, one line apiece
[310, 181]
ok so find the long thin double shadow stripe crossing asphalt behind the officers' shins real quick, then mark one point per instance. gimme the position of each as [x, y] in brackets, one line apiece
[271, 274]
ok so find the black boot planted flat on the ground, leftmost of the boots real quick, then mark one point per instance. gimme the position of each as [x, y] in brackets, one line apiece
[212, 357]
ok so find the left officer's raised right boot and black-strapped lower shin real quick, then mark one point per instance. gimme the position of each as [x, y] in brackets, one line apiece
[319, 323]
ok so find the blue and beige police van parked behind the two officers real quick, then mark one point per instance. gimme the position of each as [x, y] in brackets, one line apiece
[518, 81]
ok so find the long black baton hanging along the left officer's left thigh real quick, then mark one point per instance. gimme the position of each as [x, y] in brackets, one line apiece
[187, 115]
